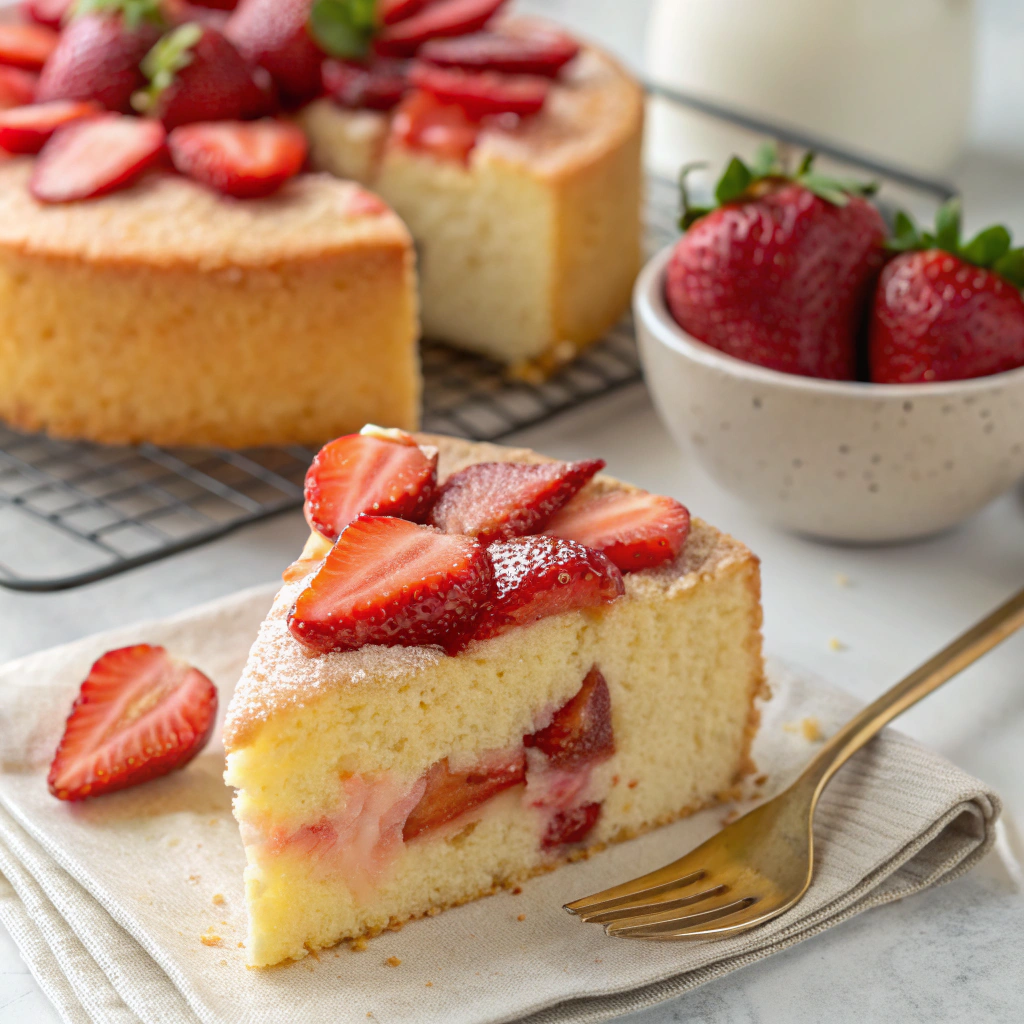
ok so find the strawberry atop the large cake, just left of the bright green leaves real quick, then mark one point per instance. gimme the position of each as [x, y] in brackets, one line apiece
[275, 34]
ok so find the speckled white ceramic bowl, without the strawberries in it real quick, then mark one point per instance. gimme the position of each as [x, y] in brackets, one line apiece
[855, 462]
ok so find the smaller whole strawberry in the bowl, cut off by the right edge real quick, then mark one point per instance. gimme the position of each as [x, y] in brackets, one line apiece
[945, 311]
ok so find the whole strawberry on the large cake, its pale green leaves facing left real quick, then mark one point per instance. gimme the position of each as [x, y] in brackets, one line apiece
[196, 75]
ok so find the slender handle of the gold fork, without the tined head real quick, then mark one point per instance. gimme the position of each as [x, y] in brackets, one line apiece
[965, 651]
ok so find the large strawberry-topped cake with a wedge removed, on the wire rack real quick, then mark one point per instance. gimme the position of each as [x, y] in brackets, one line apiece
[172, 272]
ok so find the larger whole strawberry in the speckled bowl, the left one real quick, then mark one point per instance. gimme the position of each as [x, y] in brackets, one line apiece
[781, 273]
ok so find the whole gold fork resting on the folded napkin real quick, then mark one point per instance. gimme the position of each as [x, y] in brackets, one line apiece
[761, 865]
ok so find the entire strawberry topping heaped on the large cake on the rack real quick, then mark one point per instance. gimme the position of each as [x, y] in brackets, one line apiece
[444, 67]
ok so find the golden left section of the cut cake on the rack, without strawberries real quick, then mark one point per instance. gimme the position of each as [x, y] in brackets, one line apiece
[169, 314]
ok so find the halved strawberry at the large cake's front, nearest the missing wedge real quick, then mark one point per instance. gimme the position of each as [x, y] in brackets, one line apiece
[246, 159]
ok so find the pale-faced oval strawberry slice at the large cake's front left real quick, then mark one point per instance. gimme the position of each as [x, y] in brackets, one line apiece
[95, 157]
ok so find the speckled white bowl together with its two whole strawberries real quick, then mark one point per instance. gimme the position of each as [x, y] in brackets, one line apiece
[854, 383]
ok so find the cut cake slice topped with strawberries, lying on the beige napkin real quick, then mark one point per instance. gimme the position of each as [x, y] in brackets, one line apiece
[537, 661]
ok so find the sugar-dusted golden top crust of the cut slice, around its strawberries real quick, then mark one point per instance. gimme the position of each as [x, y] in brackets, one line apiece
[281, 674]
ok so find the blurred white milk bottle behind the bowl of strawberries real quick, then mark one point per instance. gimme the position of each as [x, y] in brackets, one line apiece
[888, 78]
